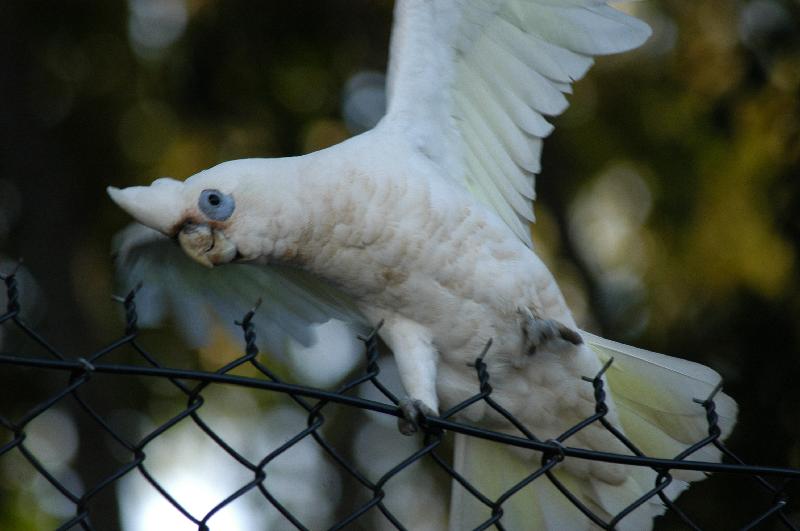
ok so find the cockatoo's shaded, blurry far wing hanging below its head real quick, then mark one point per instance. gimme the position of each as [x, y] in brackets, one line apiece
[194, 296]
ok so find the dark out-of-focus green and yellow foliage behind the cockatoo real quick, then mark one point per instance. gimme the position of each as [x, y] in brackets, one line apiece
[669, 201]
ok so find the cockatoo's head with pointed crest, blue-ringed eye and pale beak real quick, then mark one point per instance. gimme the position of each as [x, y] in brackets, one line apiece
[201, 213]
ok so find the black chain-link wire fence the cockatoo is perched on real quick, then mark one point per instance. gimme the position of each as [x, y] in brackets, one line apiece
[192, 383]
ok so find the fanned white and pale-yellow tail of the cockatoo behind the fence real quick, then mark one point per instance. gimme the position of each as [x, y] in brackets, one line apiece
[654, 398]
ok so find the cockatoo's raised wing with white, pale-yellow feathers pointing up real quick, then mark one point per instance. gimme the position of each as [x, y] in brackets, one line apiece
[471, 81]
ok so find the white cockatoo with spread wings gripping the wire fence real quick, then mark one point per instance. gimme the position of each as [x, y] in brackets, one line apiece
[422, 223]
